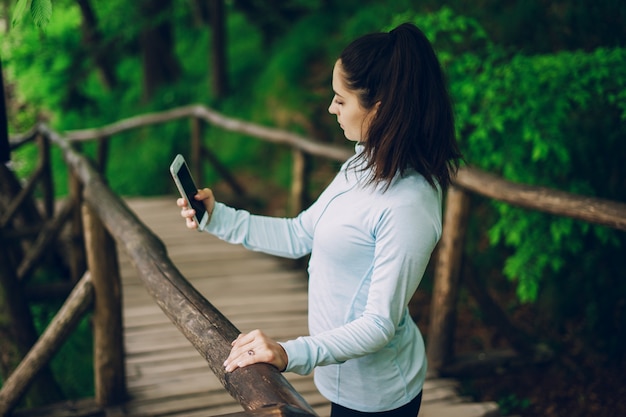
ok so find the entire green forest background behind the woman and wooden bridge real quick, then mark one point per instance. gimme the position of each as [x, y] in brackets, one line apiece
[540, 95]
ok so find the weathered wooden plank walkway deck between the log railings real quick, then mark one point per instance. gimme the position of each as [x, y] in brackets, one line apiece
[166, 376]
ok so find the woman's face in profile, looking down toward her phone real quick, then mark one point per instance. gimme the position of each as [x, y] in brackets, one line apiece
[352, 118]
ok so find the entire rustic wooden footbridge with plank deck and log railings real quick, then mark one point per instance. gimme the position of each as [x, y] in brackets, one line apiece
[159, 354]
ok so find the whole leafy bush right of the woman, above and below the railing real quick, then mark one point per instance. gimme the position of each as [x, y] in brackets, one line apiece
[553, 120]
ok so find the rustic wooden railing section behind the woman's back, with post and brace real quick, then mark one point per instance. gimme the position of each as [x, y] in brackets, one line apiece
[447, 272]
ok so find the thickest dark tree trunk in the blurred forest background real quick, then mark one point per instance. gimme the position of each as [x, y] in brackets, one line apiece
[160, 66]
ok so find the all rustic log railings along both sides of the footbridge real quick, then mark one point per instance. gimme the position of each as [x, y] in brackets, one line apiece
[107, 220]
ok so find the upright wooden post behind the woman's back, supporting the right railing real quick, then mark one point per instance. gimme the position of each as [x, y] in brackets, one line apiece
[440, 348]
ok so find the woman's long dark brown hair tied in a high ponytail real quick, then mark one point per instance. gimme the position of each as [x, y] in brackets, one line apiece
[413, 126]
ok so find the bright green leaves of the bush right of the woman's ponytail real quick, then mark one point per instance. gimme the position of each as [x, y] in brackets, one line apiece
[534, 119]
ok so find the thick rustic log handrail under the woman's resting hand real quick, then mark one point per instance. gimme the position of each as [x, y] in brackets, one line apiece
[211, 333]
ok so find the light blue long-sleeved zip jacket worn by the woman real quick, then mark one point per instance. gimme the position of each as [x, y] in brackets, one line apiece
[369, 249]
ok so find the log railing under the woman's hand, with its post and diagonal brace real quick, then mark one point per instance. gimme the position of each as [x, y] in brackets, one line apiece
[259, 388]
